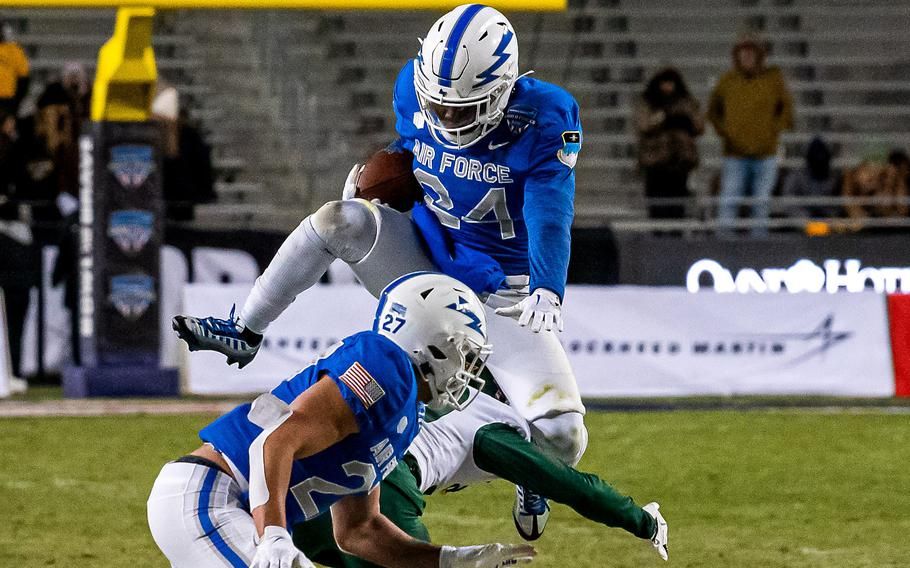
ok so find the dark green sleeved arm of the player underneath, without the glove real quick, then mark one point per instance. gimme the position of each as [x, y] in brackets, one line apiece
[499, 449]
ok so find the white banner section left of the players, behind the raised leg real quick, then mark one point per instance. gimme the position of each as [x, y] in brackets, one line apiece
[314, 322]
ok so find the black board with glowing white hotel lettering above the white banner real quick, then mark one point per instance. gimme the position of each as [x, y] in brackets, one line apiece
[779, 262]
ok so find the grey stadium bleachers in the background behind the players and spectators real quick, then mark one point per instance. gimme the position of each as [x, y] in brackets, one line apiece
[291, 99]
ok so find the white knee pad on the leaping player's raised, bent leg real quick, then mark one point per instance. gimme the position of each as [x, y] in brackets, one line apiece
[348, 228]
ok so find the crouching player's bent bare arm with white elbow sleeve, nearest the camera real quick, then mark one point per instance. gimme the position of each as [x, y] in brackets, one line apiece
[318, 418]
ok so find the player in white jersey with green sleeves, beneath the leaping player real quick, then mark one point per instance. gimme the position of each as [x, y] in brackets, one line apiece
[487, 440]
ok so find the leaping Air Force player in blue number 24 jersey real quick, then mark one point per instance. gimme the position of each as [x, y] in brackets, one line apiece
[495, 153]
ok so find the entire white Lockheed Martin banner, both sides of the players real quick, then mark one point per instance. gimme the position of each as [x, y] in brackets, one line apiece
[624, 341]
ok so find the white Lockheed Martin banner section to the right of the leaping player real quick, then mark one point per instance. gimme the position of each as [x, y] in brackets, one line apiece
[632, 341]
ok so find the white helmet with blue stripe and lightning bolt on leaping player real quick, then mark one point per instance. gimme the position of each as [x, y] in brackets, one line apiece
[464, 74]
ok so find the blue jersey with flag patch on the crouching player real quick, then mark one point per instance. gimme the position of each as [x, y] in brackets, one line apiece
[378, 382]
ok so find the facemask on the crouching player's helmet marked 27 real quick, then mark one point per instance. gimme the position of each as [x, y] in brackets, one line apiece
[450, 369]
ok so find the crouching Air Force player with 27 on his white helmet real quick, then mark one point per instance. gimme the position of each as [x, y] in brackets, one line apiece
[325, 439]
